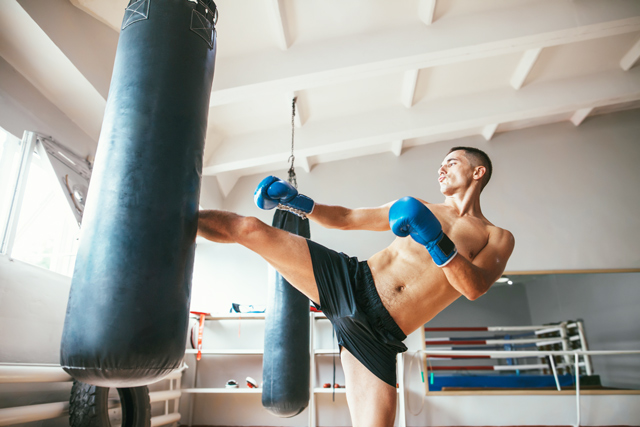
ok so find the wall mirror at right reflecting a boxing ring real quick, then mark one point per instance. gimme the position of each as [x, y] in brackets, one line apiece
[534, 313]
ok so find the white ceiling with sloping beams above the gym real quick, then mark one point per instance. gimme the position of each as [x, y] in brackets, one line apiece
[370, 75]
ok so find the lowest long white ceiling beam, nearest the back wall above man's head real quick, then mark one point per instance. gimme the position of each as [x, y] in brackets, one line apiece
[428, 121]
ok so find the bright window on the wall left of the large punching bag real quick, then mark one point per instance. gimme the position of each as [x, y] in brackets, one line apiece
[41, 228]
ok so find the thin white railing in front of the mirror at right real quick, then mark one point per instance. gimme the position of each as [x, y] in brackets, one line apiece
[538, 353]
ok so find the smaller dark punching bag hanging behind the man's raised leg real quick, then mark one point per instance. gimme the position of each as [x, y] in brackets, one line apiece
[286, 362]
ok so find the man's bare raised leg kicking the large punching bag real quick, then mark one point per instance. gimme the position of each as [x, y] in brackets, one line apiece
[286, 252]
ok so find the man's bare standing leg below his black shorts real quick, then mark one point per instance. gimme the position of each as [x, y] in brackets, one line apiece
[372, 402]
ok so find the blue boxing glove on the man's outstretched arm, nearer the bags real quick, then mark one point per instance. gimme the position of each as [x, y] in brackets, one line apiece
[273, 192]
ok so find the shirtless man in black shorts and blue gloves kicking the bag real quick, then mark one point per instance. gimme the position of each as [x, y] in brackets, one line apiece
[453, 250]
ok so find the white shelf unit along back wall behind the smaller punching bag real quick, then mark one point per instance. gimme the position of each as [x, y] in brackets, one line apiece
[314, 390]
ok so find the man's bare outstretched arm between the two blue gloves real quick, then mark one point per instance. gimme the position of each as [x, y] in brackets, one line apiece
[372, 219]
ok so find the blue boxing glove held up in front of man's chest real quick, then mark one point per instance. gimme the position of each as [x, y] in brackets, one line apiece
[409, 216]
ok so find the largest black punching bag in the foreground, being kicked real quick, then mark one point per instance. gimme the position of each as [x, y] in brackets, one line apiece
[127, 315]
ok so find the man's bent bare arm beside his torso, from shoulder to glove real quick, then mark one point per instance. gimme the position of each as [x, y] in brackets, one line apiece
[474, 278]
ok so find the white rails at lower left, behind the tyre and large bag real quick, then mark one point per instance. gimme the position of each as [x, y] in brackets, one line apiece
[10, 374]
